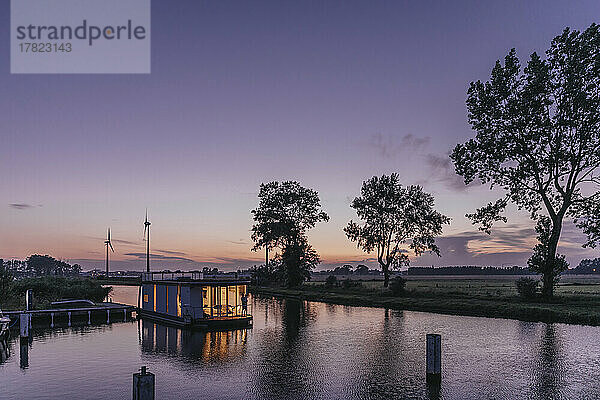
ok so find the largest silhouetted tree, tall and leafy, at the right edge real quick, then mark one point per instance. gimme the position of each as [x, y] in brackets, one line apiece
[538, 138]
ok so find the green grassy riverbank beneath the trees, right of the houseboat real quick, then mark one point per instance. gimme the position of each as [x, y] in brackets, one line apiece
[576, 302]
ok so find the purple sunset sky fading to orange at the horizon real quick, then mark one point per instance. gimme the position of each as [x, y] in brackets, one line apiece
[327, 93]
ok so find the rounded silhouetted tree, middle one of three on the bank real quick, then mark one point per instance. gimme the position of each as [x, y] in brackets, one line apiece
[394, 215]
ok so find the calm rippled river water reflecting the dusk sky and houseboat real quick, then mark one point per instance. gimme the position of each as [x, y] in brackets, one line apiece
[306, 350]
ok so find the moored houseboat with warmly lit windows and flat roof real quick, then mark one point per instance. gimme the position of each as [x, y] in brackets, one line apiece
[193, 300]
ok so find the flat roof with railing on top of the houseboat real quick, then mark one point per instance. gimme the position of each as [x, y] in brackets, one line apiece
[195, 278]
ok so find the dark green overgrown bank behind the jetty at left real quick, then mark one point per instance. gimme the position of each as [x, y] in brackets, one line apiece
[47, 289]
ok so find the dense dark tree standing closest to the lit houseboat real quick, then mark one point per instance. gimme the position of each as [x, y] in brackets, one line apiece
[286, 211]
